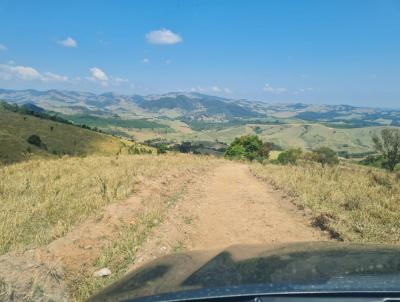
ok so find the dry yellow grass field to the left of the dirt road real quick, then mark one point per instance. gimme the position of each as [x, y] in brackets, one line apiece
[41, 200]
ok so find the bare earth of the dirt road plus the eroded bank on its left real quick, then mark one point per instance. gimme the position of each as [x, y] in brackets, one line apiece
[224, 206]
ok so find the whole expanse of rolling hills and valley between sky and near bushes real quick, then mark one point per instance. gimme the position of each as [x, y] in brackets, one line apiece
[196, 117]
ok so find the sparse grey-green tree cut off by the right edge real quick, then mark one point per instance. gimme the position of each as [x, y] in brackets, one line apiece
[389, 146]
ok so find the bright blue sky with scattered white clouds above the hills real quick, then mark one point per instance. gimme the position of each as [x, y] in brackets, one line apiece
[275, 51]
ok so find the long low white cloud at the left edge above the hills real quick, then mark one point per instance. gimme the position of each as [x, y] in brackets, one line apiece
[27, 73]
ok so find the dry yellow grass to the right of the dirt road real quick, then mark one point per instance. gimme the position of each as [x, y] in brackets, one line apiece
[353, 203]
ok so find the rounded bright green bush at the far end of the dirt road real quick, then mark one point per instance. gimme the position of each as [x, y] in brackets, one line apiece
[249, 147]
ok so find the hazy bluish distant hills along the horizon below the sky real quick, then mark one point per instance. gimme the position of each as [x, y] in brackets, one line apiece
[195, 106]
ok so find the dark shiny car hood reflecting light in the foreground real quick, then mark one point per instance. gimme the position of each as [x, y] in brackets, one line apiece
[265, 269]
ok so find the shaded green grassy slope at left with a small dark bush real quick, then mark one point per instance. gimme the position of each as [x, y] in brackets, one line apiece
[58, 139]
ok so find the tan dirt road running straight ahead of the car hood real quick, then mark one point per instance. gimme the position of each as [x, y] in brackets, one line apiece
[229, 207]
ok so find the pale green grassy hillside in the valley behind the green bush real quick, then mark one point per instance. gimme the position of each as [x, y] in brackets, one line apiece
[295, 134]
